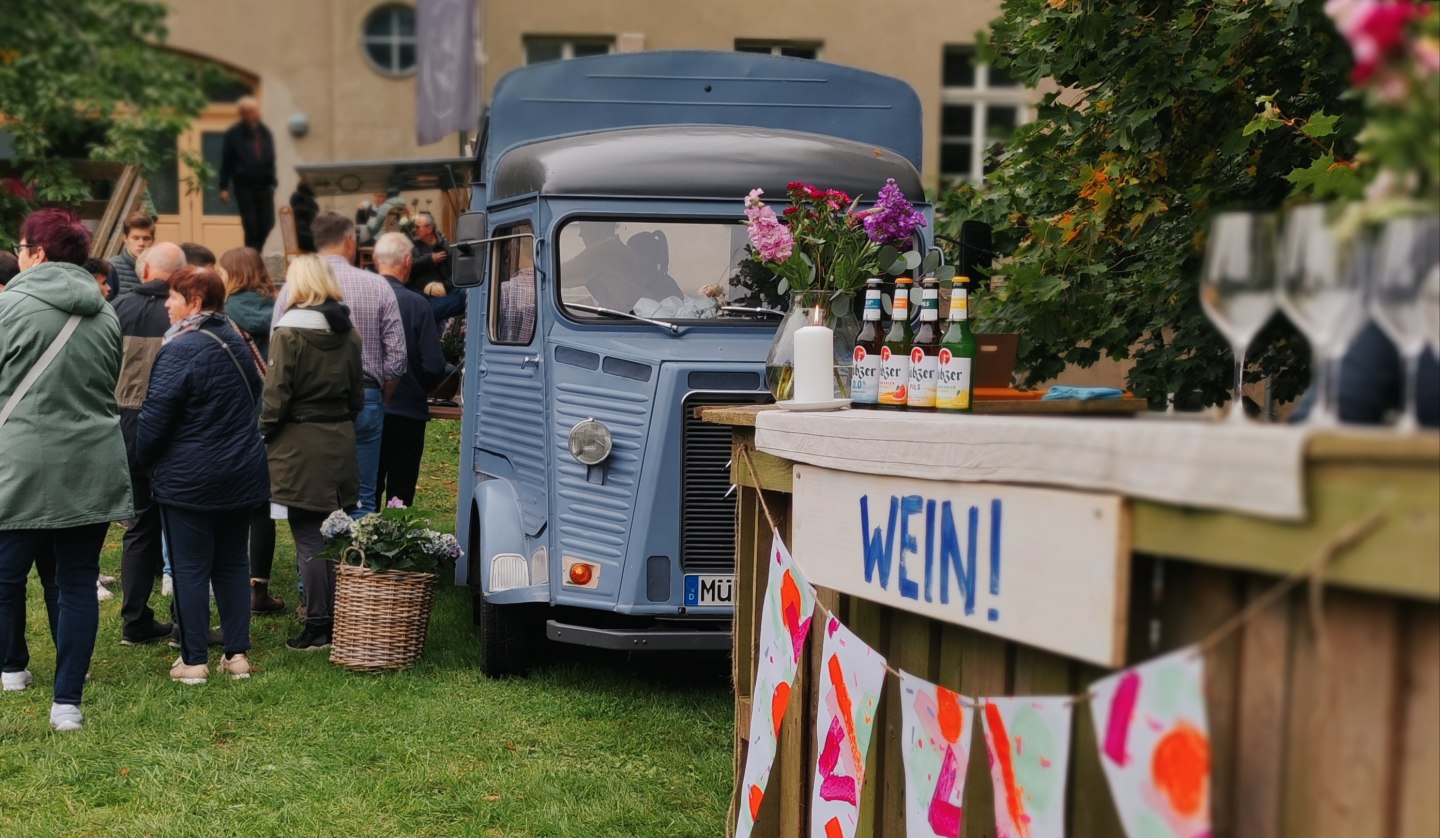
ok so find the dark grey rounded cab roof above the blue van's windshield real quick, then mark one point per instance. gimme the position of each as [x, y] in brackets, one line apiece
[699, 162]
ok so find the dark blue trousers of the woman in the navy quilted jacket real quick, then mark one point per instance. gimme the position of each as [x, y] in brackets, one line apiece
[211, 549]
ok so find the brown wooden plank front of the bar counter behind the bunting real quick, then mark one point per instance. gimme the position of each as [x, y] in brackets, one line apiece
[1324, 724]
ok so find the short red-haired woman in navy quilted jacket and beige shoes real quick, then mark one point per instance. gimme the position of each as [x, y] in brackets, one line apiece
[199, 433]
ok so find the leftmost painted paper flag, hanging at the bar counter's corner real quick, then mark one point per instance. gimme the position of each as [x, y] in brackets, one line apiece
[786, 620]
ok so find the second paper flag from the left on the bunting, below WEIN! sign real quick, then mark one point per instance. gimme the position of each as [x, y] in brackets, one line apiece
[852, 679]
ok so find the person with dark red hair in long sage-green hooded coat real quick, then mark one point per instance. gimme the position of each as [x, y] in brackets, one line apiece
[64, 474]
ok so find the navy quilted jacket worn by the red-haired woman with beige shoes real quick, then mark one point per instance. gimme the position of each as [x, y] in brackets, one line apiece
[198, 425]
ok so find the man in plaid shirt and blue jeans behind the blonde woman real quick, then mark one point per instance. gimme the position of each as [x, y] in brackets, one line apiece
[382, 341]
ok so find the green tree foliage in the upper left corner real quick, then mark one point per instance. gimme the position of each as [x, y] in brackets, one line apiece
[87, 77]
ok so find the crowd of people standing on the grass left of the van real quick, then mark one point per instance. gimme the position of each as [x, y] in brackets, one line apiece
[194, 402]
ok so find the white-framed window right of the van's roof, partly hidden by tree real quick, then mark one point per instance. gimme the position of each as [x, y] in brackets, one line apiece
[981, 107]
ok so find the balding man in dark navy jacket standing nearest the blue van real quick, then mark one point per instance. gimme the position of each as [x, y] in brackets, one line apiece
[402, 443]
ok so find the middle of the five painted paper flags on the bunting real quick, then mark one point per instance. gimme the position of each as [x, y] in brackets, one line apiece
[937, 729]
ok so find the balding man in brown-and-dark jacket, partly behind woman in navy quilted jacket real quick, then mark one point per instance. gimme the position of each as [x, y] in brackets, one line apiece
[143, 323]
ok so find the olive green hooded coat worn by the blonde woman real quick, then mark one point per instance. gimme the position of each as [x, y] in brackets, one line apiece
[315, 374]
